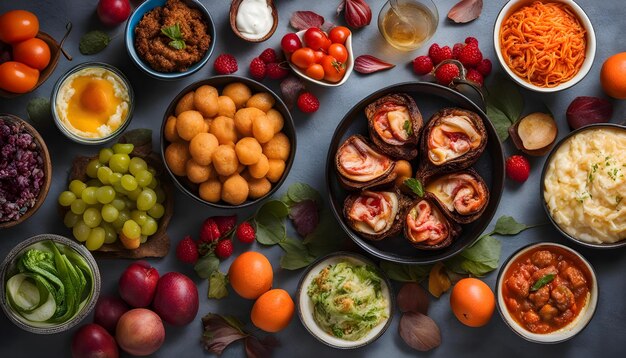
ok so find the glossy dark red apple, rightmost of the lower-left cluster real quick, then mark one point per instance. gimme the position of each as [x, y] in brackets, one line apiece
[176, 299]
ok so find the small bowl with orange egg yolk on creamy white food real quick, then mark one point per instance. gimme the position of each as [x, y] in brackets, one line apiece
[92, 103]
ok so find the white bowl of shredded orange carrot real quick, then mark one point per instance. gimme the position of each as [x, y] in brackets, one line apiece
[544, 45]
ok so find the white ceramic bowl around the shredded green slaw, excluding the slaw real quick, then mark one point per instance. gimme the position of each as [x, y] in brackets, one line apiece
[305, 305]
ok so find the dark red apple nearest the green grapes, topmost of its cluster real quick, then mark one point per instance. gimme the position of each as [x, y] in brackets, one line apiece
[138, 284]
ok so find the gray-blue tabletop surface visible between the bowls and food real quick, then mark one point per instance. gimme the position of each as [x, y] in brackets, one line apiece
[603, 337]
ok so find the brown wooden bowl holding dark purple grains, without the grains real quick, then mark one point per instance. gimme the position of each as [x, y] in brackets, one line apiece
[47, 168]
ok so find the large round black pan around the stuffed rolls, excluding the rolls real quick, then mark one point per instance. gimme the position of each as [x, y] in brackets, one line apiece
[429, 98]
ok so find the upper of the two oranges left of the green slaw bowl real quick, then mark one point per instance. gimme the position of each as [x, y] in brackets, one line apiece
[251, 275]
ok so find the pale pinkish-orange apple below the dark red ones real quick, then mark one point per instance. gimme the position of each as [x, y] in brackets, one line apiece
[140, 332]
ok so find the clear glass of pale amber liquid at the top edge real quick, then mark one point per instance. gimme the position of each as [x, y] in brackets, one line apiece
[407, 24]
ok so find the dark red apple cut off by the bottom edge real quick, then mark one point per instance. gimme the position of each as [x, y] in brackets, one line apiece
[93, 341]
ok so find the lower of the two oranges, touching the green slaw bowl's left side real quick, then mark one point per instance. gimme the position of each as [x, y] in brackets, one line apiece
[272, 311]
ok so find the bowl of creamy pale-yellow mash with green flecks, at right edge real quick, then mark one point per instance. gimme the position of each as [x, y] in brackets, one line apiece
[584, 186]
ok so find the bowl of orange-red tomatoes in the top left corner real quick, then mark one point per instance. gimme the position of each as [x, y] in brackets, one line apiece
[27, 56]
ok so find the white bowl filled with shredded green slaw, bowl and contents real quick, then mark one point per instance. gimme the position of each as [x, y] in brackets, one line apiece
[344, 300]
